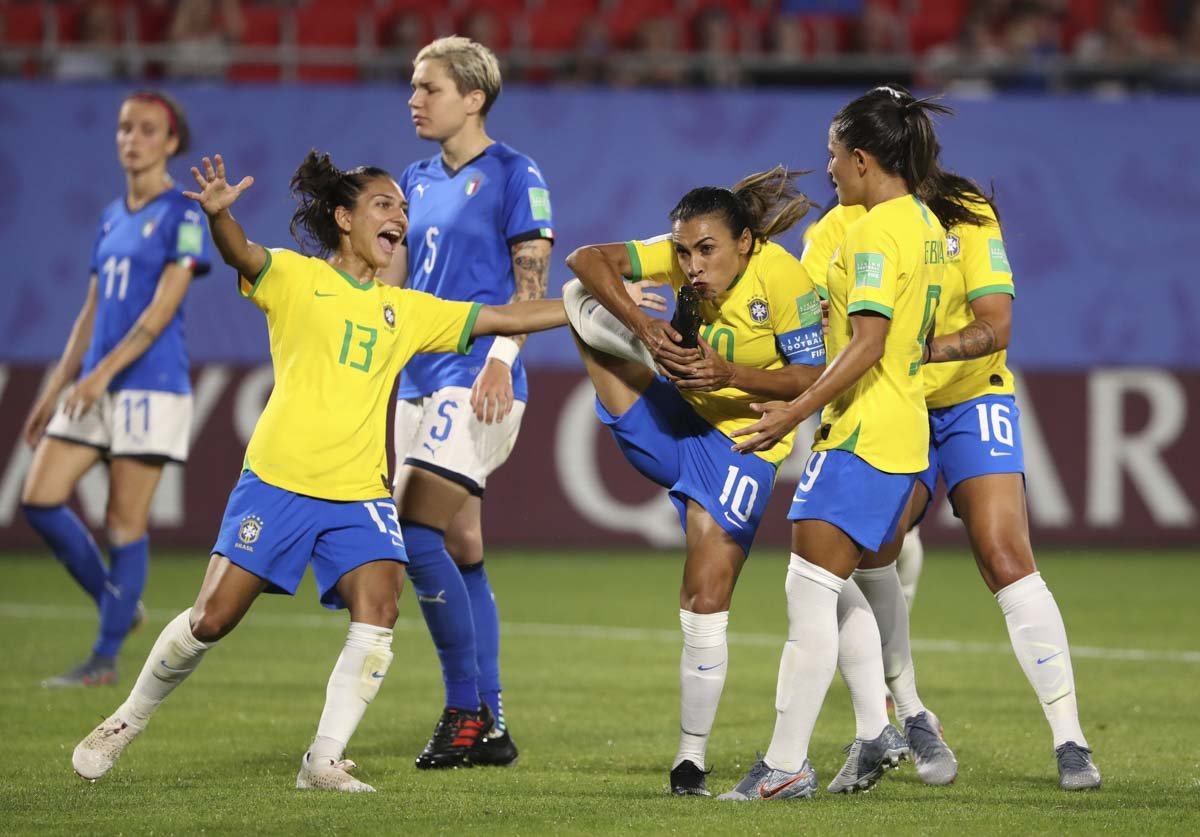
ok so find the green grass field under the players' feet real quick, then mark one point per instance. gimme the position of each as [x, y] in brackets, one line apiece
[591, 663]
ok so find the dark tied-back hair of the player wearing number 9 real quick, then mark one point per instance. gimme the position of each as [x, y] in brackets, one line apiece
[896, 129]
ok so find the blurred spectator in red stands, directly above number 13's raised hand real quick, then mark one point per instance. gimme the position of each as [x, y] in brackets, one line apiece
[203, 34]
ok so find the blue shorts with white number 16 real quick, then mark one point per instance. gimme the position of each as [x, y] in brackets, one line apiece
[976, 438]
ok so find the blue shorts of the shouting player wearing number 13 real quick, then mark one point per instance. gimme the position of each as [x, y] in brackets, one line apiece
[275, 534]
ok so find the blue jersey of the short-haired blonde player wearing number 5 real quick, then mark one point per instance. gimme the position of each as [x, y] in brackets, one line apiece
[461, 230]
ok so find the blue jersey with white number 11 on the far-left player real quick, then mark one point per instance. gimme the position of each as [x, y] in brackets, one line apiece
[131, 251]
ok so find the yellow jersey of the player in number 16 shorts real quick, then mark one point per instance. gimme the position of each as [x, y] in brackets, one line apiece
[976, 266]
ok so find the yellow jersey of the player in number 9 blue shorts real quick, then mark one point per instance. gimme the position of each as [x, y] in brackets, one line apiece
[891, 263]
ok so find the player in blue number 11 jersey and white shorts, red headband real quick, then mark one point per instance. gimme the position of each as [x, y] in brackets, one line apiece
[131, 401]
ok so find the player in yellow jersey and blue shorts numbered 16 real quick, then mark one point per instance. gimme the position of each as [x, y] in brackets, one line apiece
[976, 447]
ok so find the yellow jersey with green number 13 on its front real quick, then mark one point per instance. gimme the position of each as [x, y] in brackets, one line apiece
[337, 350]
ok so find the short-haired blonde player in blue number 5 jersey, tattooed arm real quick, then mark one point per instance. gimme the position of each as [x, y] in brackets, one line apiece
[482, 232]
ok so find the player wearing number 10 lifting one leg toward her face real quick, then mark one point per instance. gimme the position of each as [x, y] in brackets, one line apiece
[760, 339]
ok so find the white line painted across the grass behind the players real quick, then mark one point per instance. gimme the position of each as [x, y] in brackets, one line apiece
[76, 613]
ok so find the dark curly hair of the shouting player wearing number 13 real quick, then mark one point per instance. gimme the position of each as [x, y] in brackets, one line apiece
[321, 188]
